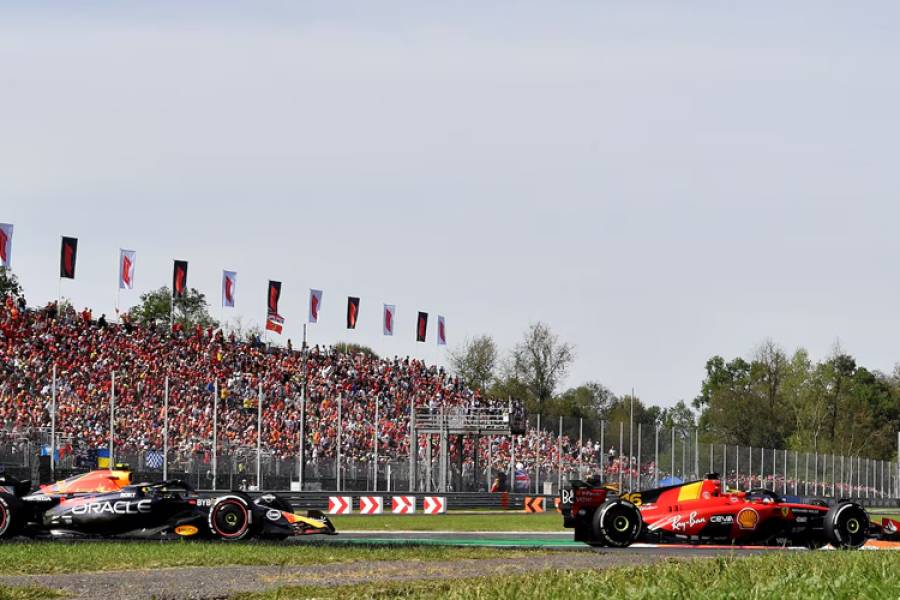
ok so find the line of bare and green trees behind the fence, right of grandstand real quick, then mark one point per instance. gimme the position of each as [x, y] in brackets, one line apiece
[769, 400]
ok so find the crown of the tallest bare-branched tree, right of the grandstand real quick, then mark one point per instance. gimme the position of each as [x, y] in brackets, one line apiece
[540, 362]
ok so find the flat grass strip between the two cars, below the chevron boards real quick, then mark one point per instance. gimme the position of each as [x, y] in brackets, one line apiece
[513, 521]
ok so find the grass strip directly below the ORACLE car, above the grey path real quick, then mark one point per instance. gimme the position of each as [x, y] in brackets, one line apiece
[26, 558]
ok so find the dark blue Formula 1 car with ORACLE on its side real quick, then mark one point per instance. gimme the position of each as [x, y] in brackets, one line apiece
[106, 503]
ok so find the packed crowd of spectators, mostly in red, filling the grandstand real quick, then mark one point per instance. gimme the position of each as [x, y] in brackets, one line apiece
[201, 363]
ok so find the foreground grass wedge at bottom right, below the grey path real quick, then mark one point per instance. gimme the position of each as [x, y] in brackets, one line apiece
[783, 575]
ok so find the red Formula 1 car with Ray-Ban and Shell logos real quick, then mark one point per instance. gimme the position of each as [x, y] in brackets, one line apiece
[704, 511]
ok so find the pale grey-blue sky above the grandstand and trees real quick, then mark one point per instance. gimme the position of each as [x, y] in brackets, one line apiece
[659, 181]
